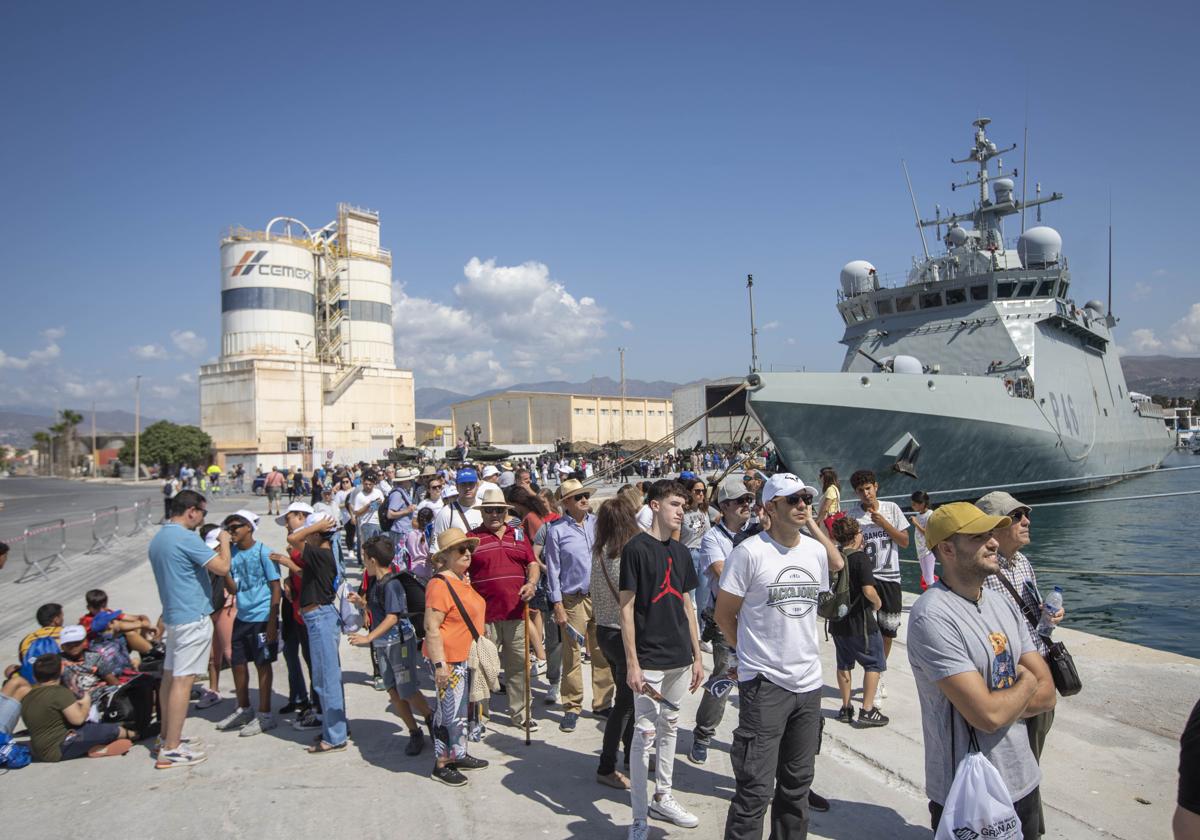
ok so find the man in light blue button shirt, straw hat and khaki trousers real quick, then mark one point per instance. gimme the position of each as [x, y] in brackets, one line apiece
[568, 557]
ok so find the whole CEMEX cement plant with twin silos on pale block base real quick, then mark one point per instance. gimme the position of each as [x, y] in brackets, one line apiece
[308, 370]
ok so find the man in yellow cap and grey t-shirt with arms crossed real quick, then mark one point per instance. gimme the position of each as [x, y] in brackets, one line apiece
[976, 665]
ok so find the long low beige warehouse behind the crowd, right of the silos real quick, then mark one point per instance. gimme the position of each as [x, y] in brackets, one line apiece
[527, 418]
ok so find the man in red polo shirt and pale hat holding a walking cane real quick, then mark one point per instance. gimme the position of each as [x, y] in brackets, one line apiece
[505, 572]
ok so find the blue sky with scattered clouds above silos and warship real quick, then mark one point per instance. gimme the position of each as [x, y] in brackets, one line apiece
[619, 169]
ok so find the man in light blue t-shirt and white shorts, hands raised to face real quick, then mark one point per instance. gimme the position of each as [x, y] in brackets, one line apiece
[182, 565]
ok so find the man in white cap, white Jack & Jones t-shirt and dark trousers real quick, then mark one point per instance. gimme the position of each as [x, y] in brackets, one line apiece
[769, 604]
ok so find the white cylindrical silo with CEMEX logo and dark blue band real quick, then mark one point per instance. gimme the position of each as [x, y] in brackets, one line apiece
[268, 293]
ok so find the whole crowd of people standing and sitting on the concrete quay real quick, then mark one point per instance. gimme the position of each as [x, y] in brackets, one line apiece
[482, 580]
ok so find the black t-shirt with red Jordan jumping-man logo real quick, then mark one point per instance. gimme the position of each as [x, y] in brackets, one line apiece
[661, 575]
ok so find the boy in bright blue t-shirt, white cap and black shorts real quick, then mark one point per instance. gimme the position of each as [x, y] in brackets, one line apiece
[255, 580]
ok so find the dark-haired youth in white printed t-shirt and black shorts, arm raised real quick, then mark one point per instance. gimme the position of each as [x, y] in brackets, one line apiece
[885, 533]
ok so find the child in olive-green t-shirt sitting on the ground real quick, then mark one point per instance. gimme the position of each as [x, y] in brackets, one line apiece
[51, 712]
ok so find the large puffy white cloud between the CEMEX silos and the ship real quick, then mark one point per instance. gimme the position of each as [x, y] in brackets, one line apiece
[505, 319]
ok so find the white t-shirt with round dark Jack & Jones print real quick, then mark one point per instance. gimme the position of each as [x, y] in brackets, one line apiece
[778, 622]
